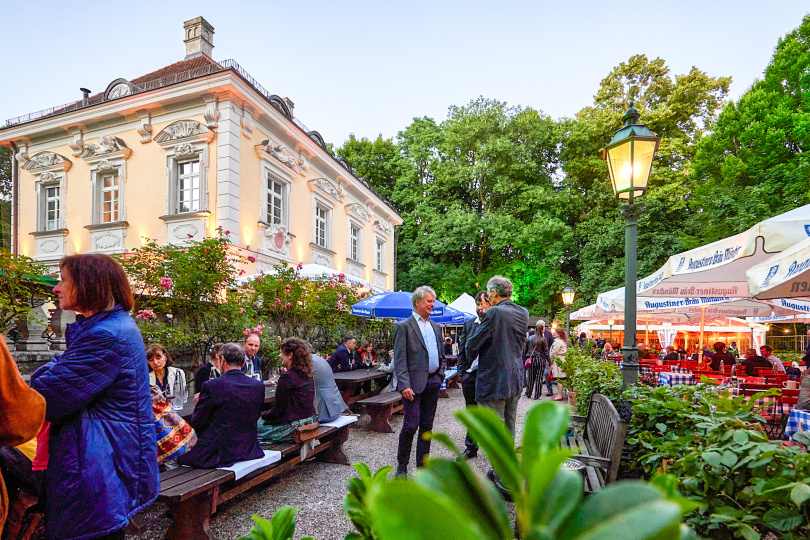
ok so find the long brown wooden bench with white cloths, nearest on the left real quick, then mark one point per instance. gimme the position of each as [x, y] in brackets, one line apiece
[193, 494]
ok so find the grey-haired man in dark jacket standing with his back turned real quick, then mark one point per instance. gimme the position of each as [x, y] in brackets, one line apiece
[498, 343]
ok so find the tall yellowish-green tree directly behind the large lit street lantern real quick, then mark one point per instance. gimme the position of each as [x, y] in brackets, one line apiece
[680, 109]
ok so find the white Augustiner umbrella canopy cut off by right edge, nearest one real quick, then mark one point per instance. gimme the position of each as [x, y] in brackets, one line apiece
[785, 275]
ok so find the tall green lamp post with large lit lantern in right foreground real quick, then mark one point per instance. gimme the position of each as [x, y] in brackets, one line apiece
[629, 158]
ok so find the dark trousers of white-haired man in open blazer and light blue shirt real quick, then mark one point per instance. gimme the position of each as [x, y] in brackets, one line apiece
[419, 415]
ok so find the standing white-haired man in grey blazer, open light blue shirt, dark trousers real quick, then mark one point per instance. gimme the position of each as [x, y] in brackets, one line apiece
[419, 367]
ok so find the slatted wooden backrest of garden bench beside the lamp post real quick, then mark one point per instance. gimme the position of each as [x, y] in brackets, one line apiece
[605, 432]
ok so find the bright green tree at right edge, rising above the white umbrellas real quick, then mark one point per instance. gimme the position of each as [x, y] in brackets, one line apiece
[755, 164]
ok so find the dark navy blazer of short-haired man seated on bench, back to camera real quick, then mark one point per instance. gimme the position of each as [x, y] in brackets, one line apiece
[225, 420]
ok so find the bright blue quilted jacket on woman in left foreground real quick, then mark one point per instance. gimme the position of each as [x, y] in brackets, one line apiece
[103, 458]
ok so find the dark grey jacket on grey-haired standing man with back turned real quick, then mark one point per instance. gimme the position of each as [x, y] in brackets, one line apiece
[498, 343]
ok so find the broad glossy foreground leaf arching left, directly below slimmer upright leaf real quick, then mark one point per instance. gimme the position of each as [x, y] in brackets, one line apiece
[482, 502]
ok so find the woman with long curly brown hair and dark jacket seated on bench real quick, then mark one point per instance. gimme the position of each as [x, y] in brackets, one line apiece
[295, 394]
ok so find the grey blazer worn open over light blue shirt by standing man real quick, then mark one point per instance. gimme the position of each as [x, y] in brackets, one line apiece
[411, 356]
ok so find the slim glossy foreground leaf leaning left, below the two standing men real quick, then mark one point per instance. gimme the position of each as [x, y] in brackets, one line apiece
[489, 431]
